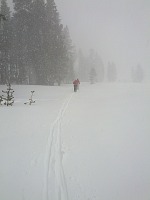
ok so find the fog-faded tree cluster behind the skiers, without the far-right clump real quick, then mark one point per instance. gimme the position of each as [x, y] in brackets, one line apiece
[91, 68]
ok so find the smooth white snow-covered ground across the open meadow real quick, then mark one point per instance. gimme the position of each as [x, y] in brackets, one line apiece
[89, 145]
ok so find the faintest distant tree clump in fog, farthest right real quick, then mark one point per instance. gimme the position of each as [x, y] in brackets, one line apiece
[137, 74]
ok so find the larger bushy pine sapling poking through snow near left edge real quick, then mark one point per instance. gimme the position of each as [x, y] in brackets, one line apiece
[8, 99]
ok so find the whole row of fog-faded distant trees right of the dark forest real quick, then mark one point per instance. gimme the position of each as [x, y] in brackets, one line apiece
[90, 68]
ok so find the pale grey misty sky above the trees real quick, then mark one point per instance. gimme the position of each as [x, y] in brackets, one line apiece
[119, 30]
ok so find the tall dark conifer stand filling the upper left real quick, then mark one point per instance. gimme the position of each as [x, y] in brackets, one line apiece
[35, 48]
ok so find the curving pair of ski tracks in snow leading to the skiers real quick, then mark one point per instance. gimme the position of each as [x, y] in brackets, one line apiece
[55, 186]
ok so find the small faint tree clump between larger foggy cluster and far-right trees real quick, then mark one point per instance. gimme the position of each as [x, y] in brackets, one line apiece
[111, 72]
